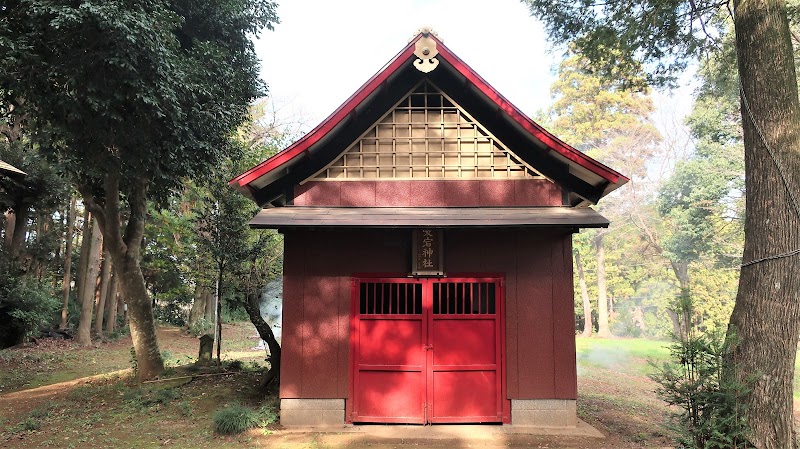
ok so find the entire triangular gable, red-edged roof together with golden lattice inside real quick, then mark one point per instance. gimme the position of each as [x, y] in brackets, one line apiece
[387, 130]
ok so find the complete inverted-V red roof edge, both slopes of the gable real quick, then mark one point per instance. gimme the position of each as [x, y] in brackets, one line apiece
[240, 182]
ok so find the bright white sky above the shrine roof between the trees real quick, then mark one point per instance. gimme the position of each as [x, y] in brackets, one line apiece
[323, 51]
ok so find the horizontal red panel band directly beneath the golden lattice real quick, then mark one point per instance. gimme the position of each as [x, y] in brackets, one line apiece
[443, 193]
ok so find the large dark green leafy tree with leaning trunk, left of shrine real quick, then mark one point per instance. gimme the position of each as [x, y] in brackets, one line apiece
[133, 97]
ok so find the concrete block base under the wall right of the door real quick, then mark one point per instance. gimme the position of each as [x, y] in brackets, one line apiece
[544, 413]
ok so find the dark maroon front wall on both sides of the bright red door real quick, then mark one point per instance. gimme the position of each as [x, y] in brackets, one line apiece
[537, 265]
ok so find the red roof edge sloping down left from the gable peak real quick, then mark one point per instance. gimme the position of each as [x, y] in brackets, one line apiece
[329, 123]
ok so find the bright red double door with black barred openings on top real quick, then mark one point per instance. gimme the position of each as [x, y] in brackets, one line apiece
[427, 350]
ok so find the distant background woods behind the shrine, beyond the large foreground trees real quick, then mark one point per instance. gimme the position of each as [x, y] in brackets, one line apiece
[678, 225]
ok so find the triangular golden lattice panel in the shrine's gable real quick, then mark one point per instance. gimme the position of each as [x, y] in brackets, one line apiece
[426, 135]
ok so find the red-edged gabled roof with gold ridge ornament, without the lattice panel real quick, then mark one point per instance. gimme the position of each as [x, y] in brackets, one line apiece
[586, 179]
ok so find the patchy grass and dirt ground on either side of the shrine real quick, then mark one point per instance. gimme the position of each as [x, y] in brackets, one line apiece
[60, 395]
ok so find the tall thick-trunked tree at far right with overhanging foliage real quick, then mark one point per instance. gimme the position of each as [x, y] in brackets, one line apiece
[648, 41]
